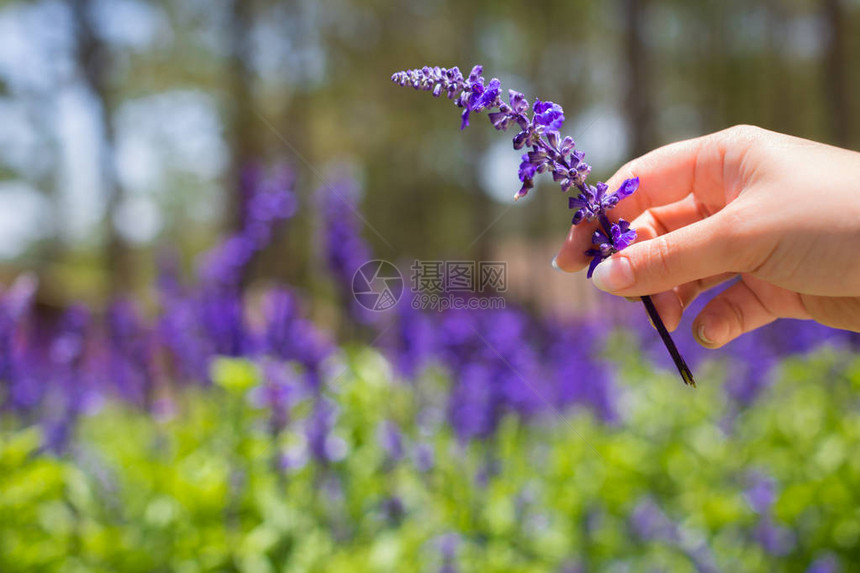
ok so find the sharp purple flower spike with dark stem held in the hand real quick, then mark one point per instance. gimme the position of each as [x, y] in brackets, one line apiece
[546, 152]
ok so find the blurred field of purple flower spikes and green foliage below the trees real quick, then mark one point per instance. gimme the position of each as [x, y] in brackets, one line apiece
[213, 430]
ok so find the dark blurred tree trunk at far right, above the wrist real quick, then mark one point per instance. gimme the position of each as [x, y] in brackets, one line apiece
[835, 67]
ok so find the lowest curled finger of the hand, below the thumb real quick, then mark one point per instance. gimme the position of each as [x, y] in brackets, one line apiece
[743, 307]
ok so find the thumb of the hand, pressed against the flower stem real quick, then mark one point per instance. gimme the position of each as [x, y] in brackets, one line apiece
[703, 249]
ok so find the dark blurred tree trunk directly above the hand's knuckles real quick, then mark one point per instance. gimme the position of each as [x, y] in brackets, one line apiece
[637, 104]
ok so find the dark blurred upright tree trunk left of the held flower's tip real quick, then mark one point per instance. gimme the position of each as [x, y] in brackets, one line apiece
[244, 149]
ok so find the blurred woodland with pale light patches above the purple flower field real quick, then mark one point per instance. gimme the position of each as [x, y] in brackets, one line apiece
[126, 123]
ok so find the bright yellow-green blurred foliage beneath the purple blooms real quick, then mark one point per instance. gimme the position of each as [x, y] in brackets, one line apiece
[204, 491]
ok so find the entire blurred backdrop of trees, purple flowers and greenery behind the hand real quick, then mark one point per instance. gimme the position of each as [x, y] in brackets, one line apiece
[188, 383]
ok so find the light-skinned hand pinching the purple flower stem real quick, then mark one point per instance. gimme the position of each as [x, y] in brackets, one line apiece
[780, 211]
